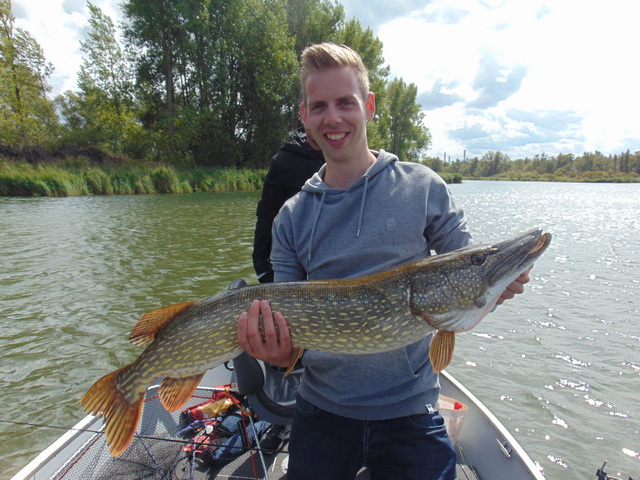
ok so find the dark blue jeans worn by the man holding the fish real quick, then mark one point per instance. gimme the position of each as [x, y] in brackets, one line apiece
[325, 446]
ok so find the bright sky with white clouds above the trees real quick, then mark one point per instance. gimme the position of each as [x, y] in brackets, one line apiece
[524, 78]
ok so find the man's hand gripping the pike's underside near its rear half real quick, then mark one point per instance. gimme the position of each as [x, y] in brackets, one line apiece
[275, 347]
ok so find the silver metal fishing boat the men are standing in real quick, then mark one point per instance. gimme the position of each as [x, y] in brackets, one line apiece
[485, 448]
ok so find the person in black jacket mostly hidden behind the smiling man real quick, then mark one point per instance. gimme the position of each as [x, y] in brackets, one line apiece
[296, 161]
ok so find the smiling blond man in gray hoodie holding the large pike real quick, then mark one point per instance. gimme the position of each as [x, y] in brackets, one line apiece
[361, 213]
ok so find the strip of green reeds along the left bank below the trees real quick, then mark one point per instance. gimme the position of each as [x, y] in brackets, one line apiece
[82, 177]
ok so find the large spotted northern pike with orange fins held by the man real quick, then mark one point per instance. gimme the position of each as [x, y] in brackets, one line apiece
[449, 293]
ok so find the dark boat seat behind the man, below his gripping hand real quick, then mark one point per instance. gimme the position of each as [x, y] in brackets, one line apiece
[271, 395]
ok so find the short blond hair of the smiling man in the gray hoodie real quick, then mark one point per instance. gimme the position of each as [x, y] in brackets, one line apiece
[322, 56]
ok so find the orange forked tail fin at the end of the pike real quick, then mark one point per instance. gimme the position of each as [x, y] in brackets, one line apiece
[121, 416]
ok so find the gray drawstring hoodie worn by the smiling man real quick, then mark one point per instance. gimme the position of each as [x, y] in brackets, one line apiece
[395, 213]
